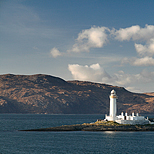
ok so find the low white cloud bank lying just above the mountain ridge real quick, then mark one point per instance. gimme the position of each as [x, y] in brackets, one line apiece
[97, 74]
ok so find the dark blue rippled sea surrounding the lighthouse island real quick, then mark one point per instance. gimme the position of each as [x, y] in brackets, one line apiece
[13, 141]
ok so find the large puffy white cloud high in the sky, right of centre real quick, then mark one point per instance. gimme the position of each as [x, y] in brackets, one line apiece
[94, 37]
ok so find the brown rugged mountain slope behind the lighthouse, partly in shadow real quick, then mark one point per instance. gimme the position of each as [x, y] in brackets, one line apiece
[47, 94]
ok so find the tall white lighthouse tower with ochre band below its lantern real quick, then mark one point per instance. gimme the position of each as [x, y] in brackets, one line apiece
[113, 107]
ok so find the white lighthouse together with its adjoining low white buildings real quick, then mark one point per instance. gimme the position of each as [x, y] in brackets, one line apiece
[123, 118]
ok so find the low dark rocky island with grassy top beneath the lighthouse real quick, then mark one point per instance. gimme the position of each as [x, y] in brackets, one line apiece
[98, 126]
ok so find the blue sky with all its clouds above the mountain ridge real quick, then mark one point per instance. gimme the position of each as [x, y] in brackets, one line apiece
[109, 42]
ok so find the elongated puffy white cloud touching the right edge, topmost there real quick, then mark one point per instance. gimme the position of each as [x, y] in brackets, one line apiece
[135, 33]
